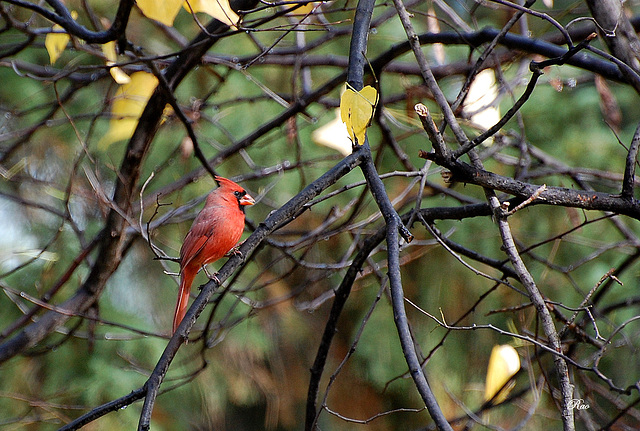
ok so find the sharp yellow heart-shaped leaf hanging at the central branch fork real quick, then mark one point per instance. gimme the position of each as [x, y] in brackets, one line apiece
[356, 110]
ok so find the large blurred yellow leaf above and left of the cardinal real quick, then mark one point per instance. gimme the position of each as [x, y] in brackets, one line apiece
[128, 104]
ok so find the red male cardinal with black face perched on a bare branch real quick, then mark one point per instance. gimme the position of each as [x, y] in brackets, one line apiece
[214, 232]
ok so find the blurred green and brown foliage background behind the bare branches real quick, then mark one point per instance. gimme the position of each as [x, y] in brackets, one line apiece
[253, 371]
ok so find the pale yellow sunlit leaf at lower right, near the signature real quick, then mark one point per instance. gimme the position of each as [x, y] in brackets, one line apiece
[504, 363]
